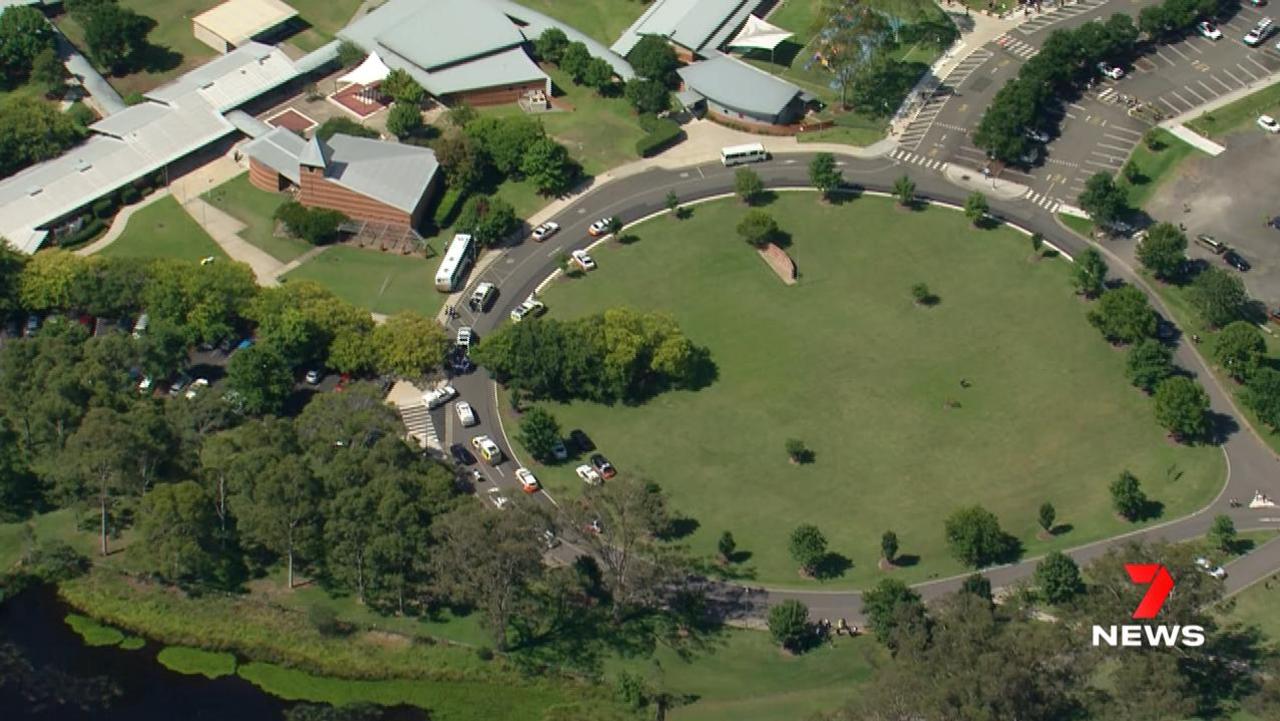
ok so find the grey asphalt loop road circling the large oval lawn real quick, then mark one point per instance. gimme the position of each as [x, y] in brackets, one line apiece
[523, 267]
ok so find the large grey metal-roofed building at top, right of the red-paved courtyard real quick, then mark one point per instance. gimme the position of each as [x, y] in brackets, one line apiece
[449, 47]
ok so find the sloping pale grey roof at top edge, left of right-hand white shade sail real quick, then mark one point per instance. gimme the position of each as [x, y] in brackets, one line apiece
[697, 25]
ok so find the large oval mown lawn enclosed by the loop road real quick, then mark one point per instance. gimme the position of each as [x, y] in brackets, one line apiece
[847, 363]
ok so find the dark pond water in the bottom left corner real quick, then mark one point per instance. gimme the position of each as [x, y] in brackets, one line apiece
[117, 686]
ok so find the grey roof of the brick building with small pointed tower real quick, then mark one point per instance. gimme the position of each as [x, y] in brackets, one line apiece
[387, 172]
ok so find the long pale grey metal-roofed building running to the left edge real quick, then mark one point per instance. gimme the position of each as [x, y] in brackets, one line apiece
[176, 121]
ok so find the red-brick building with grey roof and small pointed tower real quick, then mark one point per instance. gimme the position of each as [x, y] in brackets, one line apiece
[367, 180]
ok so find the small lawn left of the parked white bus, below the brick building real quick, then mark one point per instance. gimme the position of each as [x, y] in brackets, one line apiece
[378, 281]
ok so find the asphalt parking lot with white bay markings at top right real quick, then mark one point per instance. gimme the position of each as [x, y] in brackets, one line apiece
[1098, 131]
